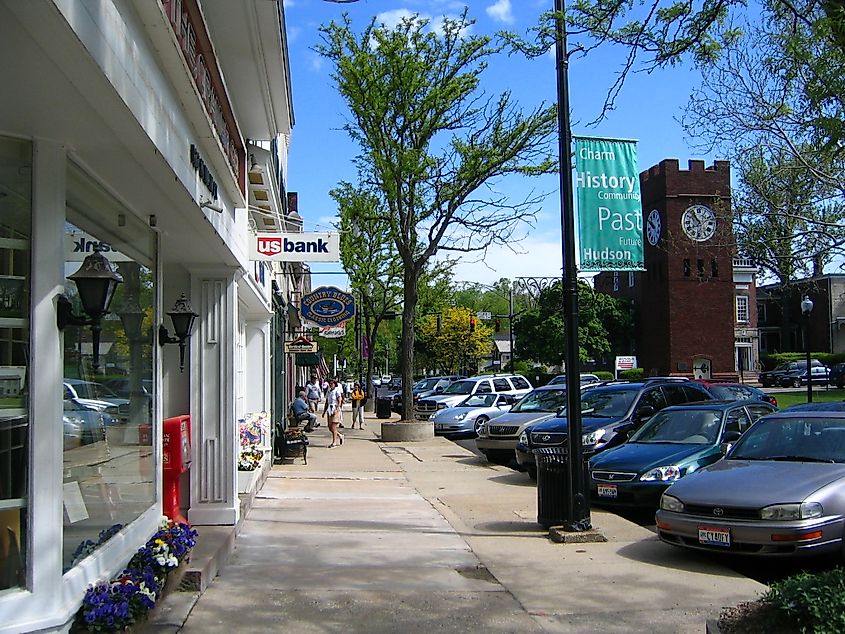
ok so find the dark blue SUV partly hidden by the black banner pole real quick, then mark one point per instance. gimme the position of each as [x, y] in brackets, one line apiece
[609, 413]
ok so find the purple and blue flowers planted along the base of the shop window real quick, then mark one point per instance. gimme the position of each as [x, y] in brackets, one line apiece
[111, 606]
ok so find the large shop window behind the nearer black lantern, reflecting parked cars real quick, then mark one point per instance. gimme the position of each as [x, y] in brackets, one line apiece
[109, 467]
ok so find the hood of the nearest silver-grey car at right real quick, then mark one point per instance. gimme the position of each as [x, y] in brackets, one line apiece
[755, 483]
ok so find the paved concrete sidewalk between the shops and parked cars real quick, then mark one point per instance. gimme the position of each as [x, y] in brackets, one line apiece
[419, 537]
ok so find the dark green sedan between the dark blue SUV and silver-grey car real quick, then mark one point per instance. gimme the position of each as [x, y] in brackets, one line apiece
[675, 442]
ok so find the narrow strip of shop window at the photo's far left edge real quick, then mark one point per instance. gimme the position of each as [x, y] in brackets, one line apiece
[15, 234]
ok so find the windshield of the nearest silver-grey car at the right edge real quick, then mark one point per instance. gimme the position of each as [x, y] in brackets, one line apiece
[793, 439]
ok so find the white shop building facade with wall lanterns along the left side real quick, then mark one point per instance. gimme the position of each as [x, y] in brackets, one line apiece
[130, 129]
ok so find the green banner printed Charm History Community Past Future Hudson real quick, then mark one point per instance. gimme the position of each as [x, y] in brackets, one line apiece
[610, 219]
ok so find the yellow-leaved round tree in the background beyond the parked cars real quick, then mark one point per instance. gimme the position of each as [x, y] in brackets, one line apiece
[456, 345]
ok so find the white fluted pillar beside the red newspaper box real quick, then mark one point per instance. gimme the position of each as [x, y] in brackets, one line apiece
[214, 482]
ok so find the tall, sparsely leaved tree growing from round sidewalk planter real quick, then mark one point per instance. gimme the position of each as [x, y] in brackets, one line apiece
[432, 143]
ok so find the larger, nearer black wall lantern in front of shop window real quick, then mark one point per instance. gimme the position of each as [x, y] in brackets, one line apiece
[96, 282]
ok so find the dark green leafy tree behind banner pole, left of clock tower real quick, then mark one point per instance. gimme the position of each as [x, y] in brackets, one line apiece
[542, 333]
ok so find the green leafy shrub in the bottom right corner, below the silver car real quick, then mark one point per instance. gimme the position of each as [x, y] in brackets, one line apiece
[815, 601]
